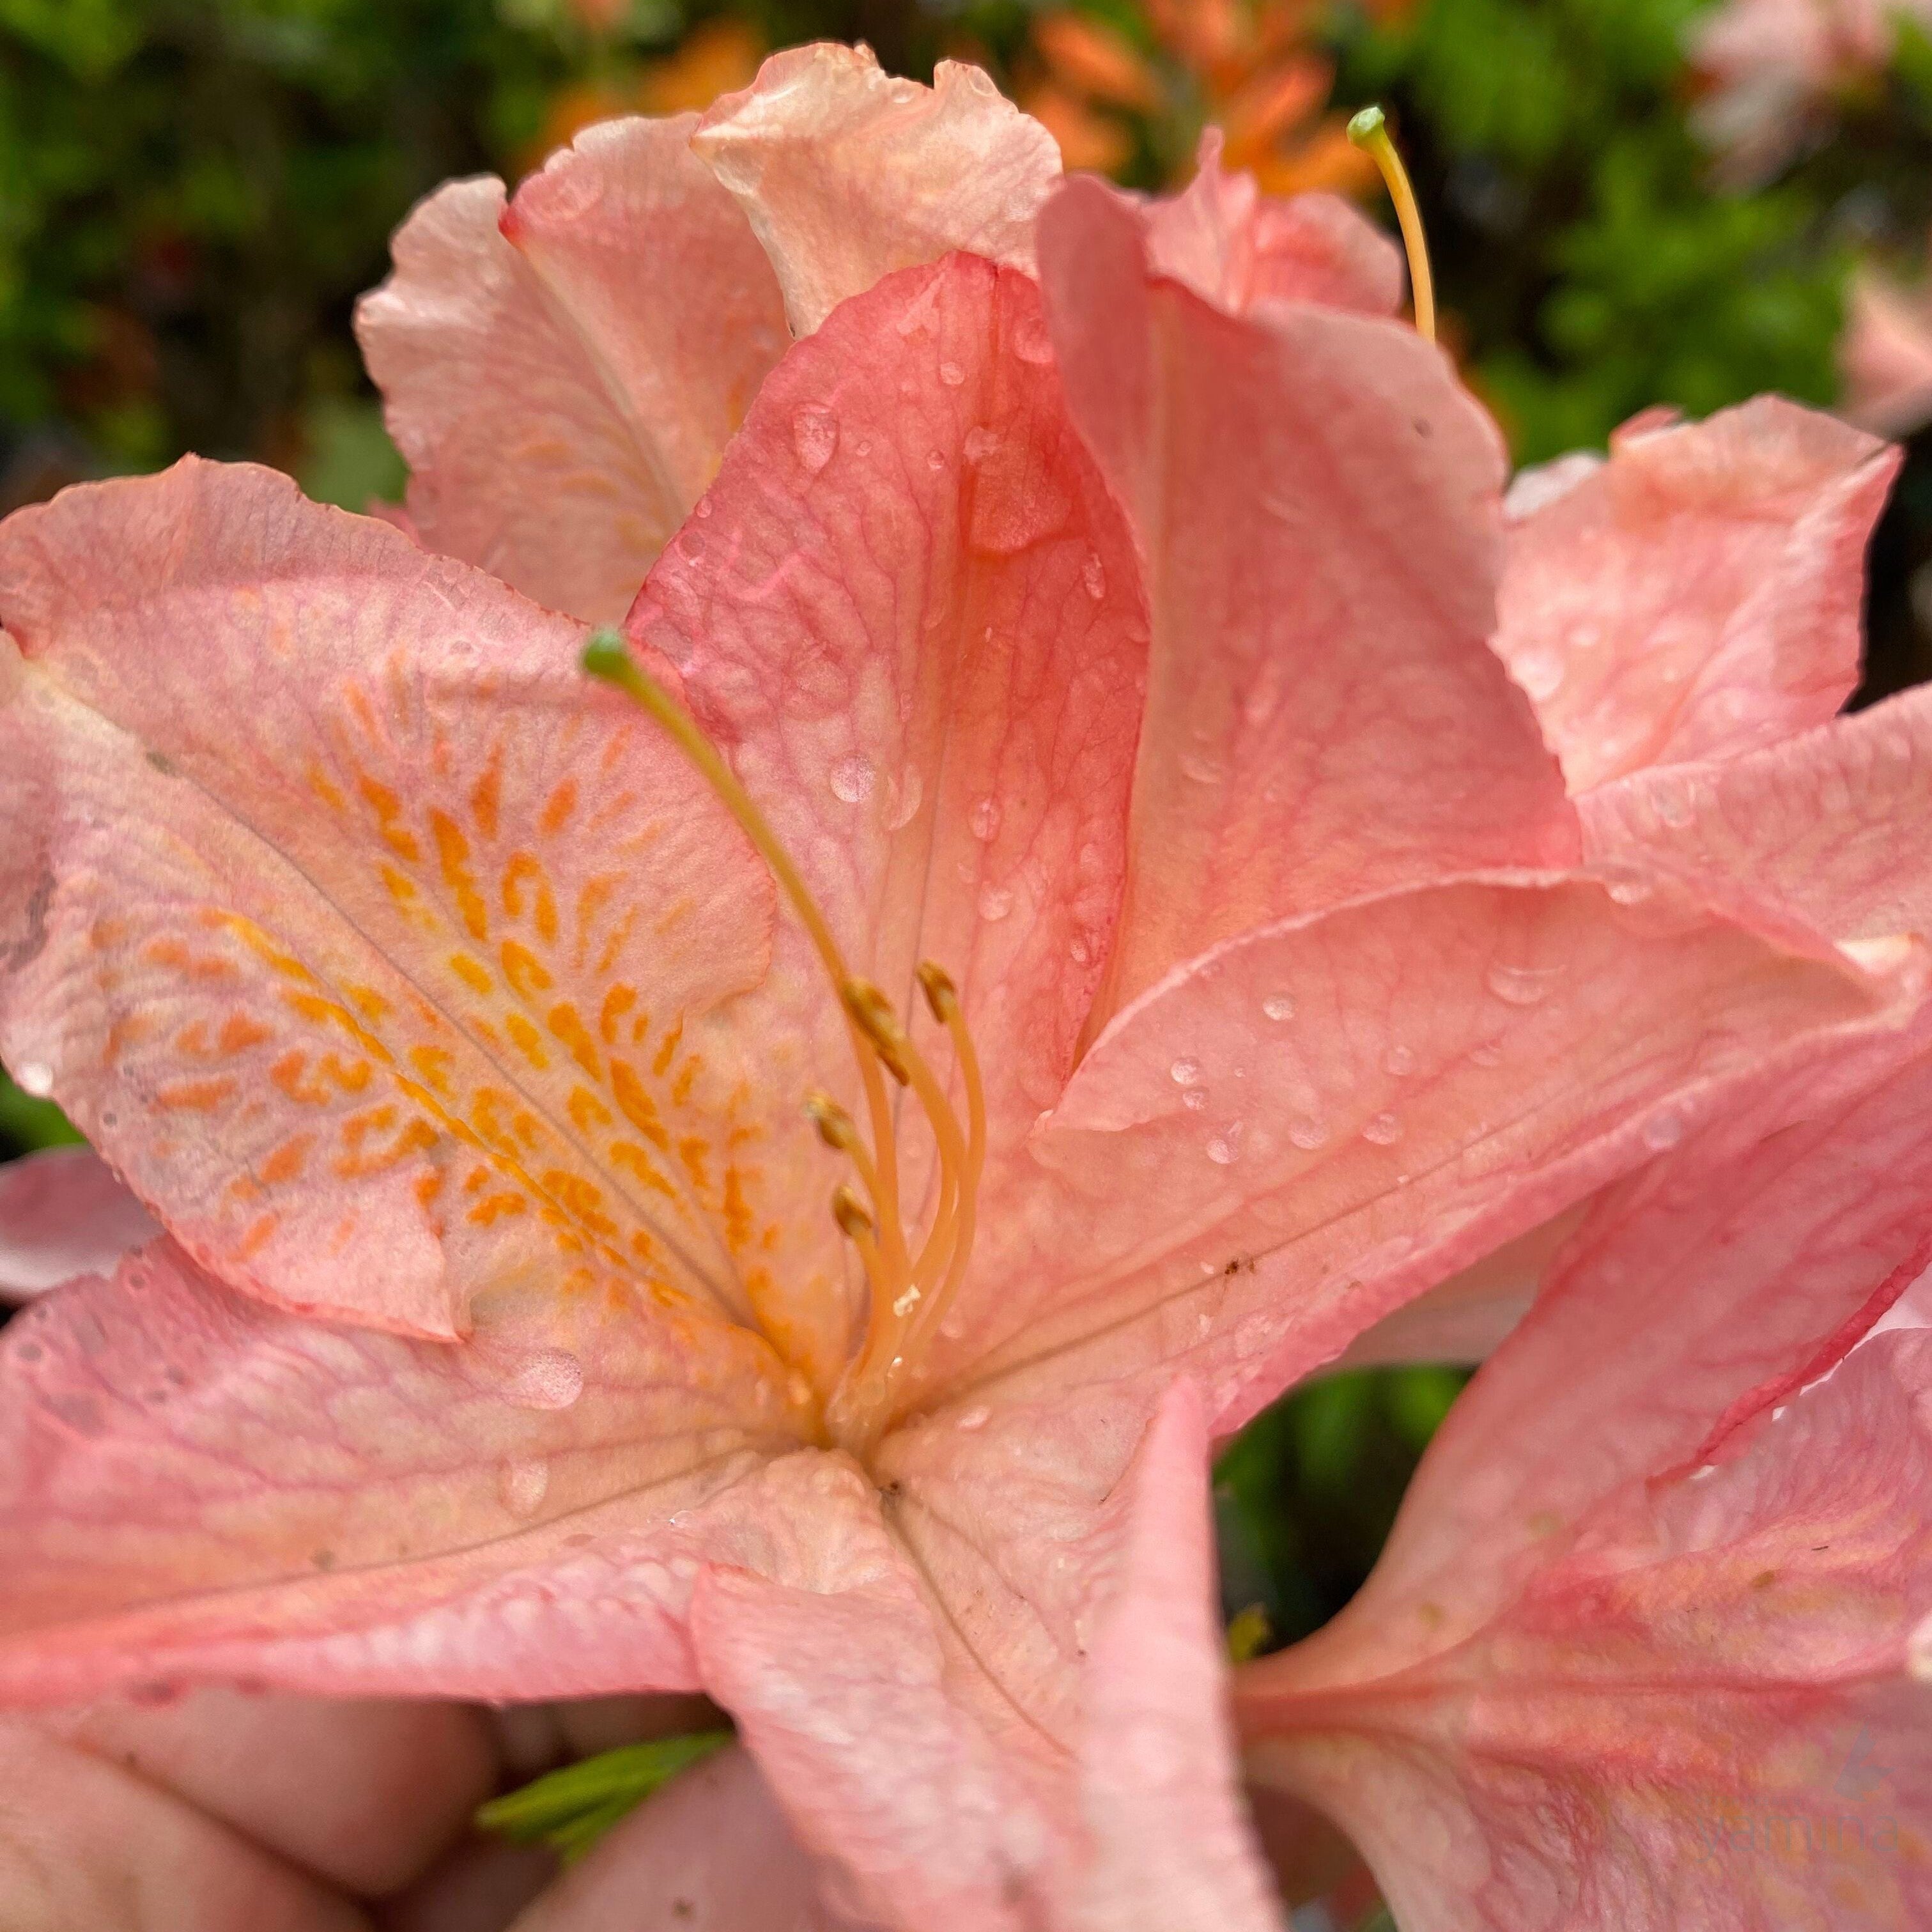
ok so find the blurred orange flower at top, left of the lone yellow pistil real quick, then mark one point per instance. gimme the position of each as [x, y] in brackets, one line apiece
[1249, 71]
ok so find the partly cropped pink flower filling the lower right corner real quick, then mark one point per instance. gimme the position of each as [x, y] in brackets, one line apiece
[1651, 1612]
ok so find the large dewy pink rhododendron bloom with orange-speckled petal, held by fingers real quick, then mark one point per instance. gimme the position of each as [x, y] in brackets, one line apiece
[1079, 776]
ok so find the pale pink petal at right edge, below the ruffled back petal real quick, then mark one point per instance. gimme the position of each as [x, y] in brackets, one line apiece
[1827, 826]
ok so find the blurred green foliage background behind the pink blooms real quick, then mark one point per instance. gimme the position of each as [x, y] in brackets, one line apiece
[1632, 202]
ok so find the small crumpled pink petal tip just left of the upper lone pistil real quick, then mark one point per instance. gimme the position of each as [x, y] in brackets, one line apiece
[1234, 246]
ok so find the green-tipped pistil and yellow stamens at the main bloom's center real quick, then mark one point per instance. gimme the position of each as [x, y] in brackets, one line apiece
[909, 1290]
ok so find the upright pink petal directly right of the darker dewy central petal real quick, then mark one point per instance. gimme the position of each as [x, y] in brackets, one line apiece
[1317, 509]
